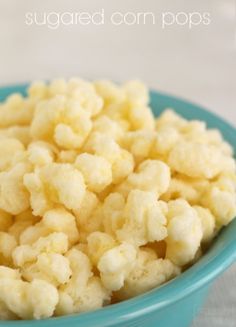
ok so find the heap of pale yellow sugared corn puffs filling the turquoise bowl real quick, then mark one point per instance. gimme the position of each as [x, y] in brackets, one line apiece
[99, 200]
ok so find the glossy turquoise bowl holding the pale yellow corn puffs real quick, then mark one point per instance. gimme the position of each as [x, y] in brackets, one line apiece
[177, 302]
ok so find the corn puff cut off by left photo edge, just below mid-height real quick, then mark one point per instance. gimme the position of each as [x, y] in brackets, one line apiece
[14, 197]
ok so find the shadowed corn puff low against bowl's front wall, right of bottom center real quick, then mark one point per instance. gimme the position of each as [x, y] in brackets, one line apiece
[147, 273]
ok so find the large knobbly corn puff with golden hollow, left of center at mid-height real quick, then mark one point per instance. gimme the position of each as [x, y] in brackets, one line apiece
[55, 184]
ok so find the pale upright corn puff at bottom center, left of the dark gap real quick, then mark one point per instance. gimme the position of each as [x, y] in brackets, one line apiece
[115, 265]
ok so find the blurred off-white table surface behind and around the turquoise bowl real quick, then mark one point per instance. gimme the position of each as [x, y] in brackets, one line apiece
[197, 64]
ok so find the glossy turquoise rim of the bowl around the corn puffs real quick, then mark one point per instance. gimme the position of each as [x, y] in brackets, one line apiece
[193, 279]
